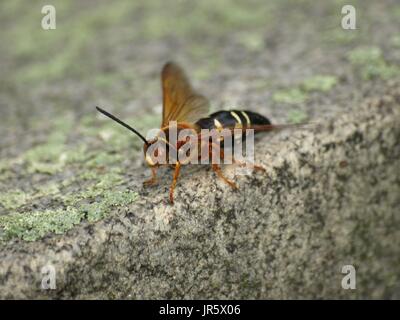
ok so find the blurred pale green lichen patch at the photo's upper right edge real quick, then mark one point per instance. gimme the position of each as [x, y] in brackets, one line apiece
[371, 64]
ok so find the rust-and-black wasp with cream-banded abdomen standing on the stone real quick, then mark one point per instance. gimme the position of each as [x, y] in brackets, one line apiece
[188, 109]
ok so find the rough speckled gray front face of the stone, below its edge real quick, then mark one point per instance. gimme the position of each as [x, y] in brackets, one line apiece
[330, 198]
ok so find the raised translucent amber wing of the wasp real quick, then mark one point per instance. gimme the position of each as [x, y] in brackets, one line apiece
[180, 102]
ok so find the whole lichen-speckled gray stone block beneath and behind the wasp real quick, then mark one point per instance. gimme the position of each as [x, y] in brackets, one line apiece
[70, 180]
